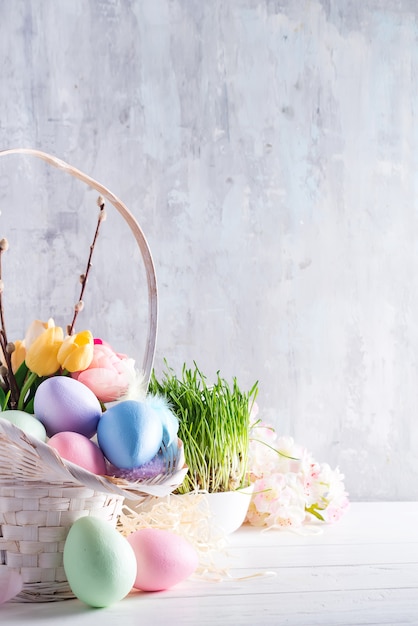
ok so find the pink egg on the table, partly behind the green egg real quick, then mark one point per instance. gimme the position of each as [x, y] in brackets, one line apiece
[163, 558]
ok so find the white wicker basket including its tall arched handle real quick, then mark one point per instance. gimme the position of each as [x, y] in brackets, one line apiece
[41, 494]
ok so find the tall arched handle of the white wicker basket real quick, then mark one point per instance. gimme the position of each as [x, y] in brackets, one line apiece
[137, 233]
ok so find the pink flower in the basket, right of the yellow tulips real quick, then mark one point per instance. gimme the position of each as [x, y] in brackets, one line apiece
[108, 375]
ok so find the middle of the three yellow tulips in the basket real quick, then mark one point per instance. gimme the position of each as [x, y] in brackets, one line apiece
[41, 354]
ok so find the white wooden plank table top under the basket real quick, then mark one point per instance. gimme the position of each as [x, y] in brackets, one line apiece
[363, 570]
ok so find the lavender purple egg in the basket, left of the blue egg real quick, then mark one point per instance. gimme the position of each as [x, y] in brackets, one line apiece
[62, 403]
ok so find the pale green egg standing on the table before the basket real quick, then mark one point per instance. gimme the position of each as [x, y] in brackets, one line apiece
[99, 562]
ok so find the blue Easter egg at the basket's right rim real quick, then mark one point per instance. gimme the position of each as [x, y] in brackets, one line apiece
[129, 434]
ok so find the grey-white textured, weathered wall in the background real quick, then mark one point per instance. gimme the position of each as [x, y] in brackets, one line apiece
[268, 149]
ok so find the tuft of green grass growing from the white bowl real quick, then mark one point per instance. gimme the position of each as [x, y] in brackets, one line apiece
[214, 425]
